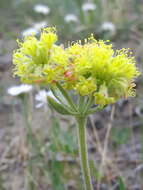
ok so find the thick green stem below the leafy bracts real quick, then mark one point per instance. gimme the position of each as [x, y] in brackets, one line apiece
[83, 152]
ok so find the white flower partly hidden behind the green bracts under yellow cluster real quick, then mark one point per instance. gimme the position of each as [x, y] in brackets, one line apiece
[41, 97]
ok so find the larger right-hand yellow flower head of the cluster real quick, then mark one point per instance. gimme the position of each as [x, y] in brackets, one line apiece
[101, 71]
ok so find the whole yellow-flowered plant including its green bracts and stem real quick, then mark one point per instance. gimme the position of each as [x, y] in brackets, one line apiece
[92, 69]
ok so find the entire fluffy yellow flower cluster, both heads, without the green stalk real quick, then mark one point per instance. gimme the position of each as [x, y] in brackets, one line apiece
[91, 68]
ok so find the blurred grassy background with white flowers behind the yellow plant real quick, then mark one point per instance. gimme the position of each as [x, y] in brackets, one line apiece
[38, 147]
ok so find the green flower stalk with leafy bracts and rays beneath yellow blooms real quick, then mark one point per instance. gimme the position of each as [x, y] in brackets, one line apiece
[80, 113]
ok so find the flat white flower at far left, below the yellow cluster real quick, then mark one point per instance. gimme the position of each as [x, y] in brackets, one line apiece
[17, 90]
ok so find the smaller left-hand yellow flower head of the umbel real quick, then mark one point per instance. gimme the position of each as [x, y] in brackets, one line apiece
[40, 60]
